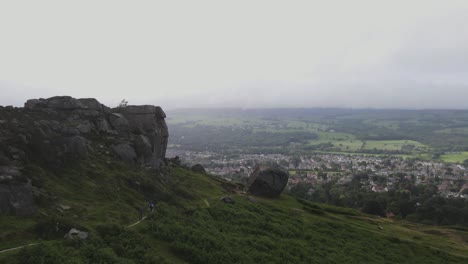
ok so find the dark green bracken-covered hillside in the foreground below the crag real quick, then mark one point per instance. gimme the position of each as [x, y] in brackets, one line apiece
[191, 225]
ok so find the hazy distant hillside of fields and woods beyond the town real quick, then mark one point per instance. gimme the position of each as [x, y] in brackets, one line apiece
[419, 134]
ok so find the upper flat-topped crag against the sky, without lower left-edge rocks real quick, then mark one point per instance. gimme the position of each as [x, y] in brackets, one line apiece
[53, 128]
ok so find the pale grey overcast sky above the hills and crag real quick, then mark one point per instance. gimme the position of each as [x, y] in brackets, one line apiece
[379, 54]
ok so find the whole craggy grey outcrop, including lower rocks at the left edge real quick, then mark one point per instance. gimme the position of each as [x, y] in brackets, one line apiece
[63, 129]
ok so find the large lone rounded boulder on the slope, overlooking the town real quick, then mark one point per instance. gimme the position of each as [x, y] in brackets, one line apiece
[267, 181]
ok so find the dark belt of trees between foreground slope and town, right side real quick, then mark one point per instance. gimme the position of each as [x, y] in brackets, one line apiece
[419, 203]
